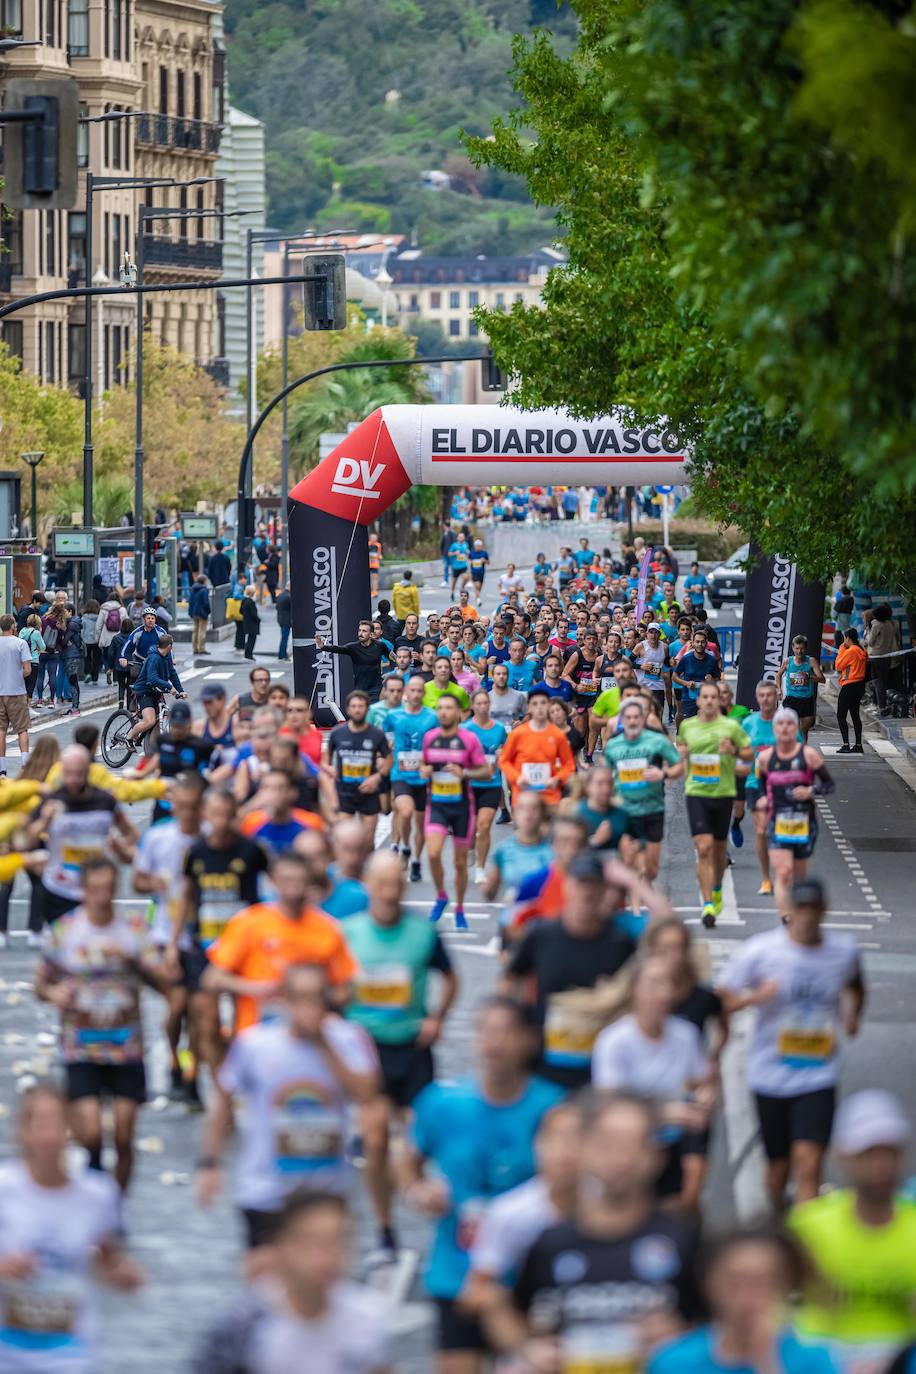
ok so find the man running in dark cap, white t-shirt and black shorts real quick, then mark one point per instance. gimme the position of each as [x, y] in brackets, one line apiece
[807, 984]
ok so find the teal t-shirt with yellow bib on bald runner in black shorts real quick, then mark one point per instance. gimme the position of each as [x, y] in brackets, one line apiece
[389, 997]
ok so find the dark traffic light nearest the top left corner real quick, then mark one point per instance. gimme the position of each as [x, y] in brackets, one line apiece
[41, 120]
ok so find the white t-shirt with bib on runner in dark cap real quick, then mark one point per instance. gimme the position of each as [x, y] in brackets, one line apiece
[796, 1042]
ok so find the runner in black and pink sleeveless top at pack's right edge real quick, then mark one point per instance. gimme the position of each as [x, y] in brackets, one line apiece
[793, 776]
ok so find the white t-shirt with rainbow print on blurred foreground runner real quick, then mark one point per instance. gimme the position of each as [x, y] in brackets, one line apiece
[296, 1112]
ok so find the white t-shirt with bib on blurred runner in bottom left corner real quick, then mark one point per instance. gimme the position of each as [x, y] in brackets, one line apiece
[50, 1321]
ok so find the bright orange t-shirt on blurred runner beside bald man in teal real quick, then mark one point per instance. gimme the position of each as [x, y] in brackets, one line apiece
[260, 943]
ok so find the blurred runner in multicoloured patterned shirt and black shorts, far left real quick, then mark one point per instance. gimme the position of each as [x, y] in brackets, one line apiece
[93, 969]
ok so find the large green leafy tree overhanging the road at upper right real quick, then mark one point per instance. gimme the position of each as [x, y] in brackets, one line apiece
[708, 275]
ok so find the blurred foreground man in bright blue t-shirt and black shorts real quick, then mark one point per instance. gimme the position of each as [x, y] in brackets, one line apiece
[470, 1144]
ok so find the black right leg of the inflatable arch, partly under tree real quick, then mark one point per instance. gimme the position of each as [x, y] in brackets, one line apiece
[778, 605]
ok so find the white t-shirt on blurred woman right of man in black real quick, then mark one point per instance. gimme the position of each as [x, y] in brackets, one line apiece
[627, 1059]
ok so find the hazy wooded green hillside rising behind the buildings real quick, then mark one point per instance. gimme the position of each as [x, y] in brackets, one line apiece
[360, 100]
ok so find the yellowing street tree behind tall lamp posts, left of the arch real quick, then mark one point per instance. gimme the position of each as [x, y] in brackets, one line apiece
[190, 443]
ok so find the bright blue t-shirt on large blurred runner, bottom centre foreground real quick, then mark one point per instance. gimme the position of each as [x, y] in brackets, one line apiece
[483, 1151]
